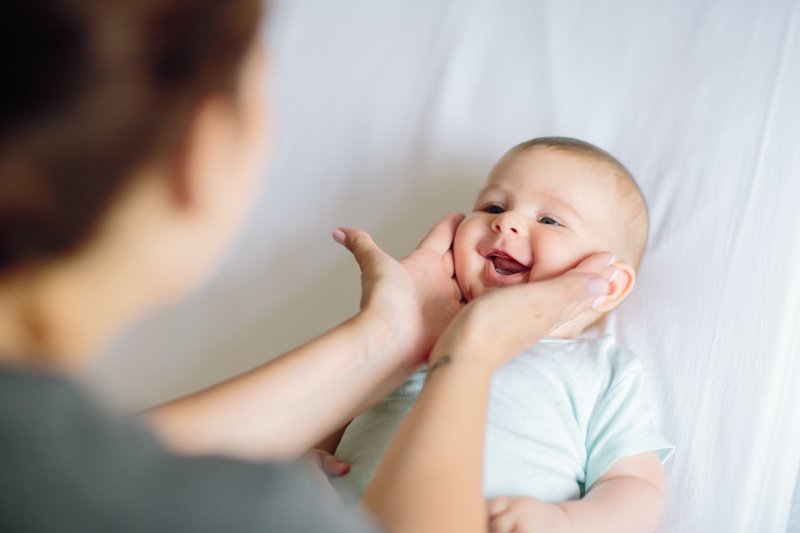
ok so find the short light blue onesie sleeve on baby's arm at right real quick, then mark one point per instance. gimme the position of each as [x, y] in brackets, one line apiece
[621, 424]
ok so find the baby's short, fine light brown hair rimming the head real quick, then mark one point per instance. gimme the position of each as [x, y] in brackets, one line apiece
[630, 195]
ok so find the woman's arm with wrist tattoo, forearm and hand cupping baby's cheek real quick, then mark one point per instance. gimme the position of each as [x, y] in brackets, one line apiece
[445, 428]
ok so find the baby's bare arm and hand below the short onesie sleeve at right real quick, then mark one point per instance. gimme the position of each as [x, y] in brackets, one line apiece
[627, 498]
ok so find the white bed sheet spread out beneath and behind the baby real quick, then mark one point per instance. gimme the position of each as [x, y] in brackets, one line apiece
[391, 113]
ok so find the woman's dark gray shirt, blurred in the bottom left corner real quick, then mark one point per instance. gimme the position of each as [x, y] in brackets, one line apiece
[66, 467]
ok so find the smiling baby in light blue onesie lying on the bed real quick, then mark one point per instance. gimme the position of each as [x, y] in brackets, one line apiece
[567, 415]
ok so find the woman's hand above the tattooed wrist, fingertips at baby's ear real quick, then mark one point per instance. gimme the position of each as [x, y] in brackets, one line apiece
[503, 322]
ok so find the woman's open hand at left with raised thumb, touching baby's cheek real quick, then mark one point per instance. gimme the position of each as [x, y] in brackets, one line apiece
[415, 298]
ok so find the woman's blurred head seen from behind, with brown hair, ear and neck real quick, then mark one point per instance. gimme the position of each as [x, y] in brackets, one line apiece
[131, 133]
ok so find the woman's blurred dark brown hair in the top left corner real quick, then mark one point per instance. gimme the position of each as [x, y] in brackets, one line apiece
[91, 90]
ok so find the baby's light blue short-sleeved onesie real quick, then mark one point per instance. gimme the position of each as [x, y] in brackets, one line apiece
[560, 414]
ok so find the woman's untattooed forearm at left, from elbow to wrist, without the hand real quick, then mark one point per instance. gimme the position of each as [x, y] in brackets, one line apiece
[282, 408]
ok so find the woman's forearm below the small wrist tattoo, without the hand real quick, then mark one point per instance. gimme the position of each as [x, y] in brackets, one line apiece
[430, 479]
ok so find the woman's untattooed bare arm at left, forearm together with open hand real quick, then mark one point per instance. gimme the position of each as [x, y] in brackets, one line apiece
[284, 407]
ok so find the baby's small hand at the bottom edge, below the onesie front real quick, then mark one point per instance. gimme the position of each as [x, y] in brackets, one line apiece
[525, 515]
